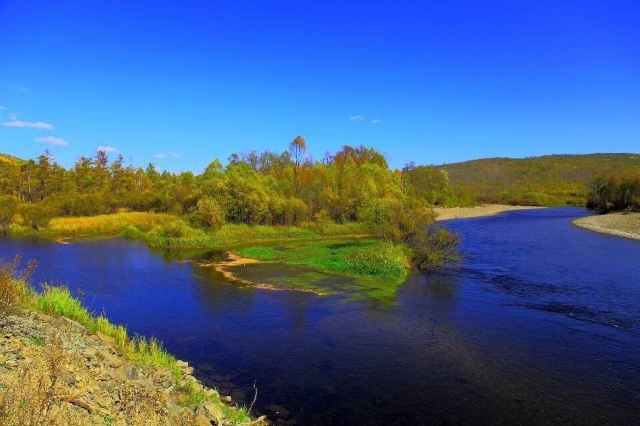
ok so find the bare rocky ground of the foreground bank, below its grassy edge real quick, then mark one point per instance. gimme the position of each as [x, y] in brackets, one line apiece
[55, 371]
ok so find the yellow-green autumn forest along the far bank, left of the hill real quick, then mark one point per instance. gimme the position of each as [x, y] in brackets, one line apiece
[353, 186]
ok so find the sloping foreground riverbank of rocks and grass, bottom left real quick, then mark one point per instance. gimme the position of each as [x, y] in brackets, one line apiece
[59, 364]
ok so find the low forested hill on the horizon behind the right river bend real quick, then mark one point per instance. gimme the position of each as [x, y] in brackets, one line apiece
[545, 180]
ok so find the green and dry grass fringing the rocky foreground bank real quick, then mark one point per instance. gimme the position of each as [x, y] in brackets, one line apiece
[16, 295]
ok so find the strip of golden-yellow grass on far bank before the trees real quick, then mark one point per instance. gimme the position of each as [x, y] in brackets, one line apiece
[108, 223]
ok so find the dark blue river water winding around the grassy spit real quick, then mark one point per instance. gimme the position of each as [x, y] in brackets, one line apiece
[540, 324]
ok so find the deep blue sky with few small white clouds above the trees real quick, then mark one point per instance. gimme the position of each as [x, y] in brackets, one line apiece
[429, 81]
